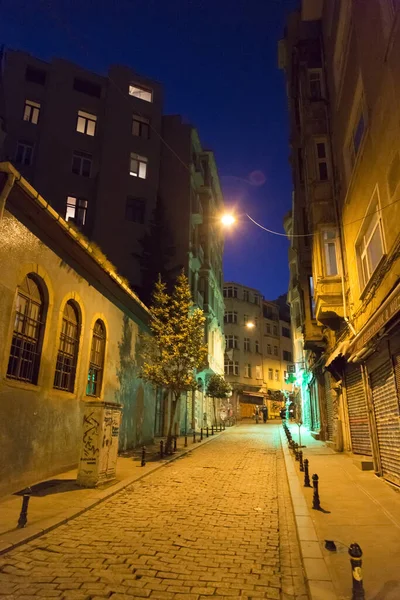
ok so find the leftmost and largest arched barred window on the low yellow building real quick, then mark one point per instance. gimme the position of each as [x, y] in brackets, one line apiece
[24, 360]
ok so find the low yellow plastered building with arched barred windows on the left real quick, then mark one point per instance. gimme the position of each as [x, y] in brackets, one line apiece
[70, 330]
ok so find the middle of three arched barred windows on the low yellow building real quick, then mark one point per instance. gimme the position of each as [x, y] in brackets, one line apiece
[64, 377]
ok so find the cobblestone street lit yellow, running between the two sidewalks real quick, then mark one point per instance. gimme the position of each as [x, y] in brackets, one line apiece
[217, 522]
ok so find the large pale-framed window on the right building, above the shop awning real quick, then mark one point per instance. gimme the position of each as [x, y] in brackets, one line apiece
[369, 247]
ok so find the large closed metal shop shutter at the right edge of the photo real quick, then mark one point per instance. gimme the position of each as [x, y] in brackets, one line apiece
[387, 417]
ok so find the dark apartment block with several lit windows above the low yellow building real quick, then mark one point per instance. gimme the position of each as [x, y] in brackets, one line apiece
[89, 144]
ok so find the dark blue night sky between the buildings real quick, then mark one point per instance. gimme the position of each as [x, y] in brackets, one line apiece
[217, 60]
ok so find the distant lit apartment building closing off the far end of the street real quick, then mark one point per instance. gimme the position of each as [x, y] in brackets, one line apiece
[258, 354]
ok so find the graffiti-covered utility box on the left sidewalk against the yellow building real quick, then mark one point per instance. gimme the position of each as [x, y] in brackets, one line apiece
[99, 447]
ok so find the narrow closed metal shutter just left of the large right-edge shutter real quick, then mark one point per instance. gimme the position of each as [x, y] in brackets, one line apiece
[358, 413]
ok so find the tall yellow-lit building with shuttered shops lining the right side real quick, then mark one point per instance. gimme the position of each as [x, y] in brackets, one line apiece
[341, 60]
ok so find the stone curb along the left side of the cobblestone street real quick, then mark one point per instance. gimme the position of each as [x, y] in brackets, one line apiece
[13, 539]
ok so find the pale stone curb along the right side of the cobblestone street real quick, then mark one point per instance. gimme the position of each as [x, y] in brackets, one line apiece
[318, 578]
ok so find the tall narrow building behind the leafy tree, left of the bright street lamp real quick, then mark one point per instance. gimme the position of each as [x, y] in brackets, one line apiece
[191, 193]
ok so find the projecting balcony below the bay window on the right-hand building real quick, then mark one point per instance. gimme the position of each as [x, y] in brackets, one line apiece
[329, 302]
